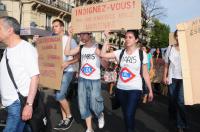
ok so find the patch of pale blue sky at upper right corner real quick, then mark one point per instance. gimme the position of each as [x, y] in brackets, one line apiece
[180, 11]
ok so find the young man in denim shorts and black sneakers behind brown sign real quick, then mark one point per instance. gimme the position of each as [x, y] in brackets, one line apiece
[68, 73]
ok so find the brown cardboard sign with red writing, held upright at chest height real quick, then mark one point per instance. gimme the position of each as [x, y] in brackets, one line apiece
[50, 61]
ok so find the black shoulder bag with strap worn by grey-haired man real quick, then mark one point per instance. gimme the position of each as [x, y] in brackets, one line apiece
[38, 122]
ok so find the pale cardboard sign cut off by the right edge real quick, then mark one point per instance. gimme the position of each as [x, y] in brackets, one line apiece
[189, 43]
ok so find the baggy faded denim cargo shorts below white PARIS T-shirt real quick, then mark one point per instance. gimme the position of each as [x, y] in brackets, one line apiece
[89, 97]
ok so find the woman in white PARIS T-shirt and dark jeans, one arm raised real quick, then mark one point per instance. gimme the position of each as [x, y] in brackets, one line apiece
[129, 84]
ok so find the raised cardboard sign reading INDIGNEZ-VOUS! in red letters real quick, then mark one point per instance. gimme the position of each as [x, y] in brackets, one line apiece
[113, 15]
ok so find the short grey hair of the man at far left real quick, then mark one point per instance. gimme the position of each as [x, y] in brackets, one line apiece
[11, 22]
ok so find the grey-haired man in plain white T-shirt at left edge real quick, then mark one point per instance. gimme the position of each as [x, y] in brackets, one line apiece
[23, 61]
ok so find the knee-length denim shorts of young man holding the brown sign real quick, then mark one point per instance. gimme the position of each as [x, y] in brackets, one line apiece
[66, 79]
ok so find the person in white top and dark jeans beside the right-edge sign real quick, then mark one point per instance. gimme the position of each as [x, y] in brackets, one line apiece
[173, 78]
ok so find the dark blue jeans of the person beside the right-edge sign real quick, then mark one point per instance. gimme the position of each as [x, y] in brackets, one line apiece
[176, 102]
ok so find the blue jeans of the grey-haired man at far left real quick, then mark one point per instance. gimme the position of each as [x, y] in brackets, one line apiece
[14, 122]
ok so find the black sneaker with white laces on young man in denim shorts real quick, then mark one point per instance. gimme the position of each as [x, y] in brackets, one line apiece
[65, 124]
